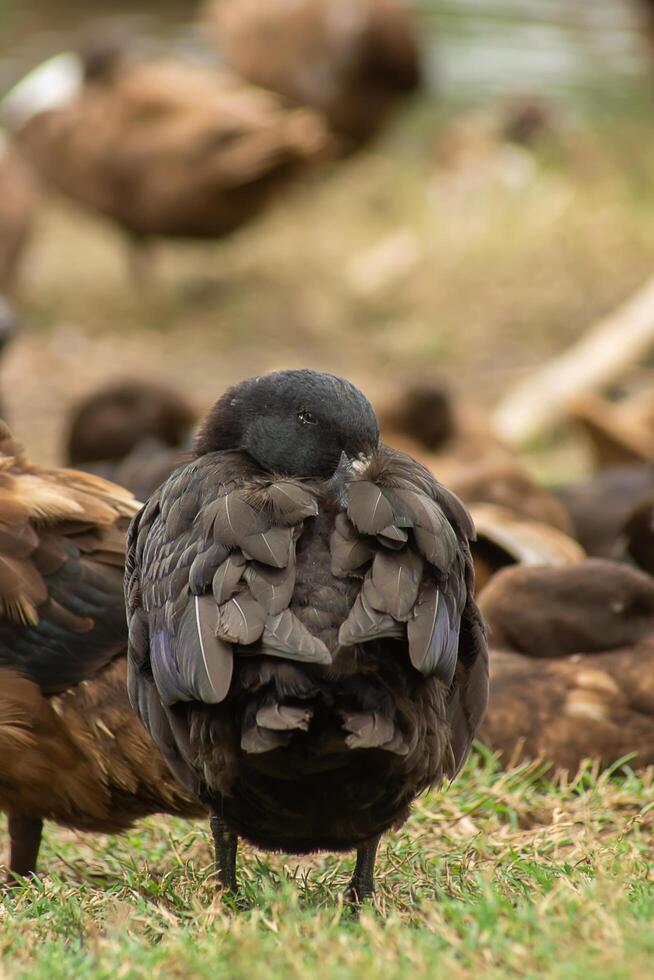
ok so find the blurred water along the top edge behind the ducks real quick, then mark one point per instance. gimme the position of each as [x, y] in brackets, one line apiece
[587, 50]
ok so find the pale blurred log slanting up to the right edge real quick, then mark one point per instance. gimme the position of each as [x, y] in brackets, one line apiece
[599, 356]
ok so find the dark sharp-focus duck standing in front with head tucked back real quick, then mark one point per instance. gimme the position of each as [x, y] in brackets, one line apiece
[304, 643]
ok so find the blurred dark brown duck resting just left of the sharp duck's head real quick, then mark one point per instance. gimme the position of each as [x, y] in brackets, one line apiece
[134, 432]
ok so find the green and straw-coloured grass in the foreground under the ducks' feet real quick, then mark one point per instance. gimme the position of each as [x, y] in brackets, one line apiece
[503, 875]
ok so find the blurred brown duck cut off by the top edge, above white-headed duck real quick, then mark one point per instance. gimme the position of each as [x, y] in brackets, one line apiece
[351, 60]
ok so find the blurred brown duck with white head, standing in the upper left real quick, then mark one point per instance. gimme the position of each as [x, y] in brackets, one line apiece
[162, 148]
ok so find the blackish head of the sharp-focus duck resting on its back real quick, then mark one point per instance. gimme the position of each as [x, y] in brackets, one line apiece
[299, 423]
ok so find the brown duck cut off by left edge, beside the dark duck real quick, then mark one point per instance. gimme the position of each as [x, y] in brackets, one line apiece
[71, 749]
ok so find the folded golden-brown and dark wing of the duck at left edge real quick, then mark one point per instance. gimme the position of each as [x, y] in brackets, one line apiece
[61, 561]
